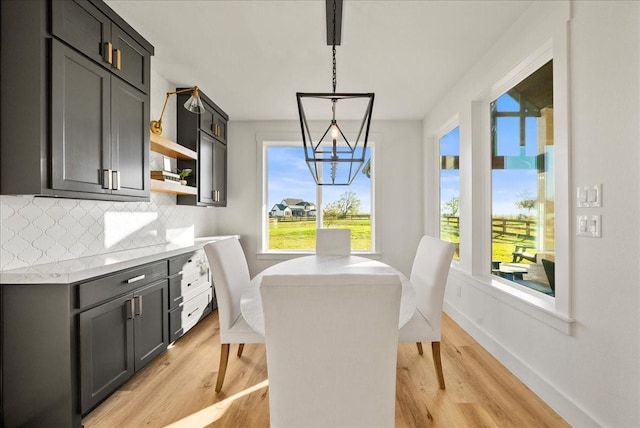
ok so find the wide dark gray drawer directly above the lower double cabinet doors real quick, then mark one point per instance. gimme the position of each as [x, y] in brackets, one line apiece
[121, 282]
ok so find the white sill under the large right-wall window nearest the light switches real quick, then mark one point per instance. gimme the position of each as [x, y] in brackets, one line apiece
[537, 305]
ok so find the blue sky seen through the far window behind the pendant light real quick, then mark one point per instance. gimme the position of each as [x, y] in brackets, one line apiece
[289, 177]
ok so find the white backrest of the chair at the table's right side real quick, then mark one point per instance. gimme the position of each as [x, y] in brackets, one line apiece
[429, 277]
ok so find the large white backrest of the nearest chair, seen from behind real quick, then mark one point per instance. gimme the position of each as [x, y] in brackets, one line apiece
[331, 349]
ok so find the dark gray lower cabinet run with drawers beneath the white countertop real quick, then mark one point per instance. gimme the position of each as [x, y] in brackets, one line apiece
[68, 346]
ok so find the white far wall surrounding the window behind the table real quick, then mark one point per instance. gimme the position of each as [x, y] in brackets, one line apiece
[398, 177]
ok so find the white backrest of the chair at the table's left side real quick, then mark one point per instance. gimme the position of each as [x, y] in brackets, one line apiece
[230, 276]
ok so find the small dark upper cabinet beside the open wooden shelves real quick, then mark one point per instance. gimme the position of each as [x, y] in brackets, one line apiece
[206, 134]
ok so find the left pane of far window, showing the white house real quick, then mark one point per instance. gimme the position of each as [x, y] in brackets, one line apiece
[291, 198]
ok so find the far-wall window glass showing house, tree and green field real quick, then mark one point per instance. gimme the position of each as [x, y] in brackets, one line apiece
[296, 206]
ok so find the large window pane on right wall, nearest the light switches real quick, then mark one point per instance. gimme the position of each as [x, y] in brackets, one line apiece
[523, 228]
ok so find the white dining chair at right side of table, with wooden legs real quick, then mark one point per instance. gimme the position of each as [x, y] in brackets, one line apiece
[429, 278]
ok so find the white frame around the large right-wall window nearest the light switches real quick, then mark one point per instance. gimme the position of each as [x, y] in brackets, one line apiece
[555, 311]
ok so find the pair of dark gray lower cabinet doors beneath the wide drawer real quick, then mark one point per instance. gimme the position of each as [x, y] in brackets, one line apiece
[118, 338]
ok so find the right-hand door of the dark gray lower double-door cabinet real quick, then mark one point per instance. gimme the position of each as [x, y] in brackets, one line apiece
[151, 326]
